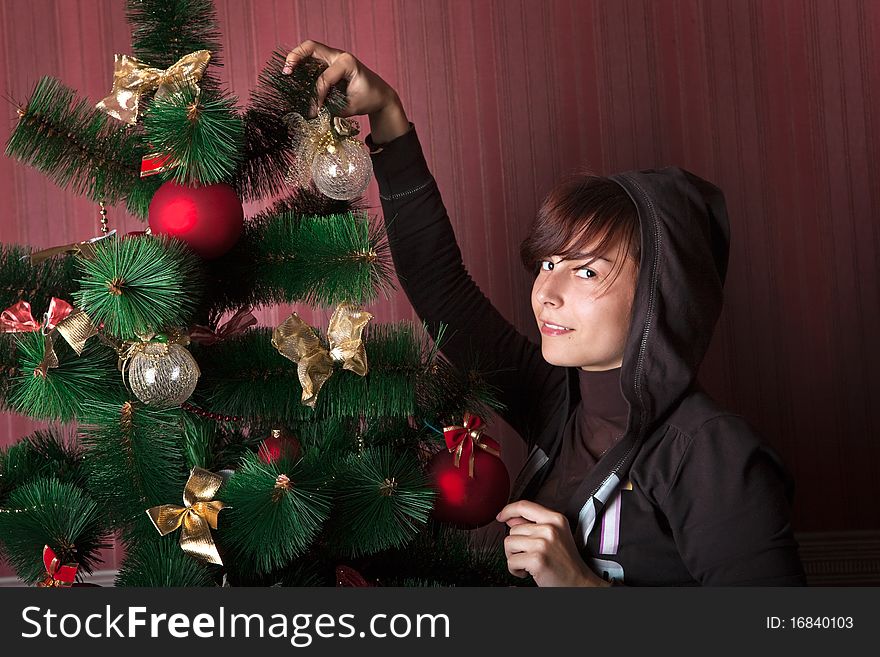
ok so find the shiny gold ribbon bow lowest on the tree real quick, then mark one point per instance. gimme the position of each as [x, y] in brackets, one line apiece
[197, 516]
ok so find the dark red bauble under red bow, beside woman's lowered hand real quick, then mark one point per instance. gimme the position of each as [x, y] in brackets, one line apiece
[464, 501]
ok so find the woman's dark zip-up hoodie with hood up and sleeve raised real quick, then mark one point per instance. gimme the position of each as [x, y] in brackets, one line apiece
[689, 494]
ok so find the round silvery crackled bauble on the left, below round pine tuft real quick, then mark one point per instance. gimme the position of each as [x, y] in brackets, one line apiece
[162, 375]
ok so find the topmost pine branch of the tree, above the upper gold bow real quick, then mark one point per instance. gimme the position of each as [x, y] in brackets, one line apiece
[163, 31]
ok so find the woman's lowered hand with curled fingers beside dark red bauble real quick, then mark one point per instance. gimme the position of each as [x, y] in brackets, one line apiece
[540, 544]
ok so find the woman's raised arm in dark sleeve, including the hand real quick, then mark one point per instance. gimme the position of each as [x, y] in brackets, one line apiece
[425, 253]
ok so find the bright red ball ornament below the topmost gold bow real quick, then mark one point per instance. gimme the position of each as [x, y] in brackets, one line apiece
[209, 218]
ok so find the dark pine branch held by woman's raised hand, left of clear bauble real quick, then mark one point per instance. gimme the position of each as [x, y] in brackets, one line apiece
[268, 152]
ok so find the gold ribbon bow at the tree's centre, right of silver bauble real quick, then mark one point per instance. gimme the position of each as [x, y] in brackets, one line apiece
[297, 341]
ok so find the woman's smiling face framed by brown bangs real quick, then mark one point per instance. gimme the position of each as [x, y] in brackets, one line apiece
[584, 321]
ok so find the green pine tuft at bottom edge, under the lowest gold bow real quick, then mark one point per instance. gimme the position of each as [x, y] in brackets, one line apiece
[159, 562]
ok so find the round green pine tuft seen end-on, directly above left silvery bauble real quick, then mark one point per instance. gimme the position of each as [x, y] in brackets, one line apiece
[140, 285]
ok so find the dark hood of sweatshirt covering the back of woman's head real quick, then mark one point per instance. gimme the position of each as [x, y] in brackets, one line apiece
[685, 242]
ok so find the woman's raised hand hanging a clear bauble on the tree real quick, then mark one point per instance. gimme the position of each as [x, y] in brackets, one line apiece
[367, 93]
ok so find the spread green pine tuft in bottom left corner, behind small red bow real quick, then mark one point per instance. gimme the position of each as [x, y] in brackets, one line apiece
[49, 512]
